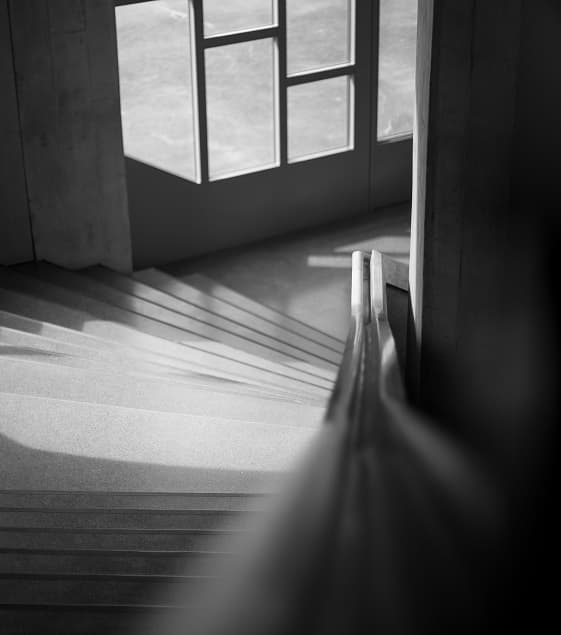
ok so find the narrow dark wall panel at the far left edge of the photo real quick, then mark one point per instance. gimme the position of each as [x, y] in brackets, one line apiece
[15, 233]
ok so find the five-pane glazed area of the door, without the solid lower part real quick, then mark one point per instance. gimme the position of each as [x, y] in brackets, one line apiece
[213, 89]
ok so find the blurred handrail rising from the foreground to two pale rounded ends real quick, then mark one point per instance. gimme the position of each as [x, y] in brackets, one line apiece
[384, 526]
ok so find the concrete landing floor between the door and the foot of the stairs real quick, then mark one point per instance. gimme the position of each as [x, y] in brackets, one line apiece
[307, 275]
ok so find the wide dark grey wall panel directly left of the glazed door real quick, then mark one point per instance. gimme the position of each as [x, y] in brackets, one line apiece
[66, 64]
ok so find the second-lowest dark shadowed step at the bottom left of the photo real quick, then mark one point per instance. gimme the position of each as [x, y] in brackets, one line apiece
[97, 588]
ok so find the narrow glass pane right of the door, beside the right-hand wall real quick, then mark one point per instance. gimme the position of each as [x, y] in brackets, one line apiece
[396, 80]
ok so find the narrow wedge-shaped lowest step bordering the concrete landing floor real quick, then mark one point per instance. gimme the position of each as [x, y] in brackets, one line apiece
[217, 290]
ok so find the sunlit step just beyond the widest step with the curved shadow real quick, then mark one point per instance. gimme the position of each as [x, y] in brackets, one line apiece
[118, 389]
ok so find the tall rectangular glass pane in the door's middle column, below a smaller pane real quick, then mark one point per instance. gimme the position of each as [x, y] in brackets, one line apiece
[240, 107]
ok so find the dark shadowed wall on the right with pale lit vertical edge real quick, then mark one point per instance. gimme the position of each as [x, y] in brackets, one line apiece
[486, 224]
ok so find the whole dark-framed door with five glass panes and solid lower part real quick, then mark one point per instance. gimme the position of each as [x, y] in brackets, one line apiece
[246, 118]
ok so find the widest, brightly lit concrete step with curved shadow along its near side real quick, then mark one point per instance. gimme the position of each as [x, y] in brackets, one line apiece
[65, 445]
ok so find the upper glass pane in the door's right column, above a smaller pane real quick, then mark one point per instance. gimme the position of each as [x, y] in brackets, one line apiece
[319, 34]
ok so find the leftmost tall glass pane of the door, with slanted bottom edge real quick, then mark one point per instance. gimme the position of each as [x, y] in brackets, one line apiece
[155, 82]
